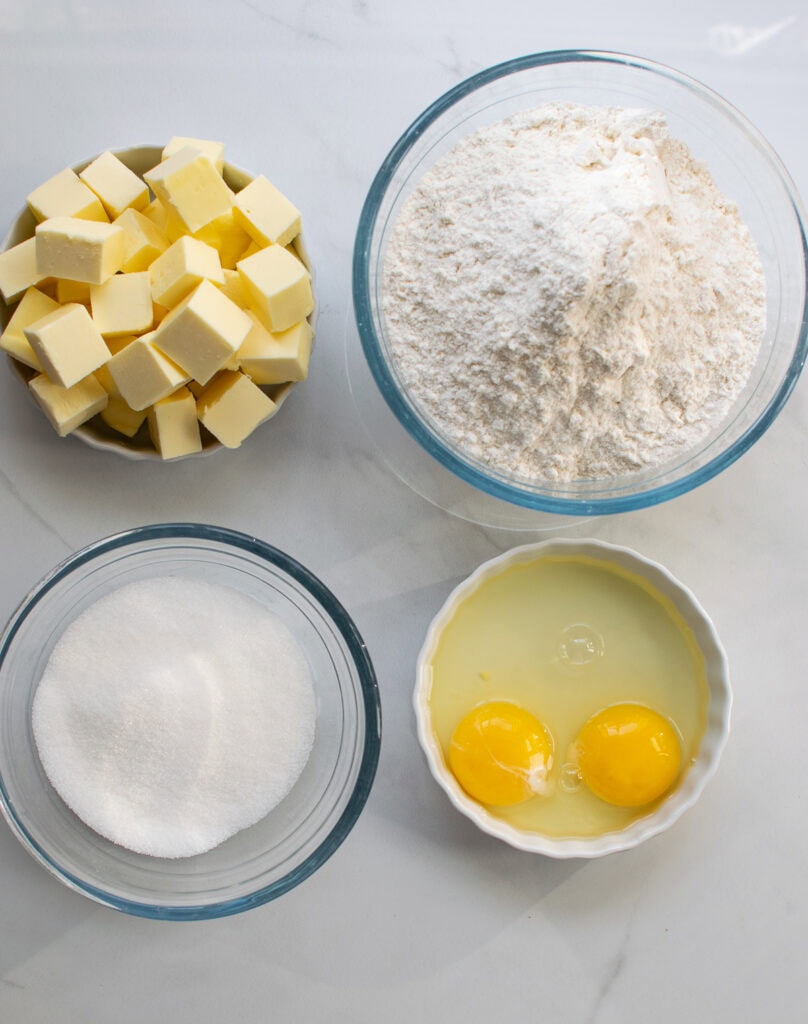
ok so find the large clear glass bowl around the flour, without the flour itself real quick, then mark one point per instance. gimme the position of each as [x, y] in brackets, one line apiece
[745, 168]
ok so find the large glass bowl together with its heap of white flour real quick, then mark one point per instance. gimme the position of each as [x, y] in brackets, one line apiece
[580, 283]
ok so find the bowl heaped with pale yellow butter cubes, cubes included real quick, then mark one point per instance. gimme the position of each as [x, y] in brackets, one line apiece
[158, 303]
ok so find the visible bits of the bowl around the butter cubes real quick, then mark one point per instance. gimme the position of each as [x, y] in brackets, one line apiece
[96, 433]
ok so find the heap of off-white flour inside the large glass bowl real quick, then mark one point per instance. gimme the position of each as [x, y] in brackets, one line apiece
[569, 296]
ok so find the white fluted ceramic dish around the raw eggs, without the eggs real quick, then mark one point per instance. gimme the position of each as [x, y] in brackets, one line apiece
[695, 778]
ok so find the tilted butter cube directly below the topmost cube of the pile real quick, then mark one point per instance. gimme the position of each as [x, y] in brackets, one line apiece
[191, 187]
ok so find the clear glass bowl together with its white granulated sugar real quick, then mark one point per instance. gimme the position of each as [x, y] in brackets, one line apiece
[190, 721]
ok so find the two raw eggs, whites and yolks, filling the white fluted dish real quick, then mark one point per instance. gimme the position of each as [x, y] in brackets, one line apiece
[580, 670]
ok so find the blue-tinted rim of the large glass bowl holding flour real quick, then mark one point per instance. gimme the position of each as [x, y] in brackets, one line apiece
[388, 386]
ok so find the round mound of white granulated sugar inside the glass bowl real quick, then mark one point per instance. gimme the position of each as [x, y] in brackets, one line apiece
[175, 713]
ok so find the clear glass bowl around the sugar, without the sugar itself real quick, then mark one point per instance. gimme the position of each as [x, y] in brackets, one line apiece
[281, 850]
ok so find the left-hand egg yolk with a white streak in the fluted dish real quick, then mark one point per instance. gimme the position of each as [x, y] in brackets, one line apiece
[501, 754]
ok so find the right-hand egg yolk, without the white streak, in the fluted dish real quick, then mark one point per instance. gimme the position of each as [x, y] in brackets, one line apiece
[628, 755]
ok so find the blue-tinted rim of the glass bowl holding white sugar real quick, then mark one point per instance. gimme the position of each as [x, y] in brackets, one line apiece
[361, 660]
